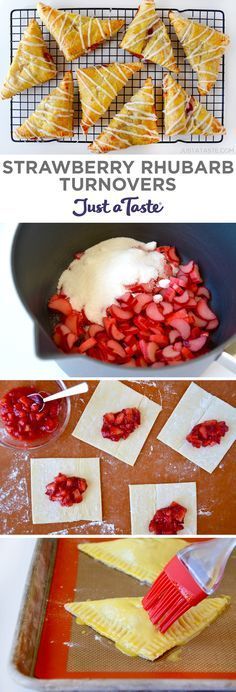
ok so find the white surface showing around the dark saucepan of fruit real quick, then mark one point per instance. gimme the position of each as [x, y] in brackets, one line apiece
[17, 357]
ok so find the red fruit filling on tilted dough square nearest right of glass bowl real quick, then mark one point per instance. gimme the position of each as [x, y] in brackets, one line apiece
[117, 426]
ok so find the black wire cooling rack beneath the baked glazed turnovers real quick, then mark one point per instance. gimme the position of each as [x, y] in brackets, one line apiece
[25, 103]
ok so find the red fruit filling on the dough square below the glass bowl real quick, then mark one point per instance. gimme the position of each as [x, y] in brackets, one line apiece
[68, 490]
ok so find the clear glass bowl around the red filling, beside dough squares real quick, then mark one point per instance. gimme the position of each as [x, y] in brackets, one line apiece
[49, 386]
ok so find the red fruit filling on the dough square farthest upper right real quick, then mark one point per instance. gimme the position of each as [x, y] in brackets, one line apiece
[207, 434]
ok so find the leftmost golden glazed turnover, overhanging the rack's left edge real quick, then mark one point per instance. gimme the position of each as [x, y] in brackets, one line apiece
[31, 65]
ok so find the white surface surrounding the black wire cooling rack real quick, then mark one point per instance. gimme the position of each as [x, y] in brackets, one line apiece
[229, 7]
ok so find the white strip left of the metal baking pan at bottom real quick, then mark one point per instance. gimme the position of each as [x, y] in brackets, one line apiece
[15, 556]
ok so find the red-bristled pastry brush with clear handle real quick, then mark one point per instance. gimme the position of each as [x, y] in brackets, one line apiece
[190, 576]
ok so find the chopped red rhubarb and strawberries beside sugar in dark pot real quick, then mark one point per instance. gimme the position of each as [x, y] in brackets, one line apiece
[148, 326]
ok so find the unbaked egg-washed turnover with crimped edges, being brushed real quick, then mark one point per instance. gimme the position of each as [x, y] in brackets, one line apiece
[124, 621]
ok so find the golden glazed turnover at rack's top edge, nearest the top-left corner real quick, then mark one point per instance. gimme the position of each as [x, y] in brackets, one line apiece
[76, 34]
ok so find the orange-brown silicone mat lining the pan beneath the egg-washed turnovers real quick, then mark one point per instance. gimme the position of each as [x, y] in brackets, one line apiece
[67, 650]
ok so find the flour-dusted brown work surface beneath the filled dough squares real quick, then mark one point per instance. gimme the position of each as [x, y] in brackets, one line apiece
[157, 463]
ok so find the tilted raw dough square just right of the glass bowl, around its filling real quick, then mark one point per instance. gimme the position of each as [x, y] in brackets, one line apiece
[111, 397]
